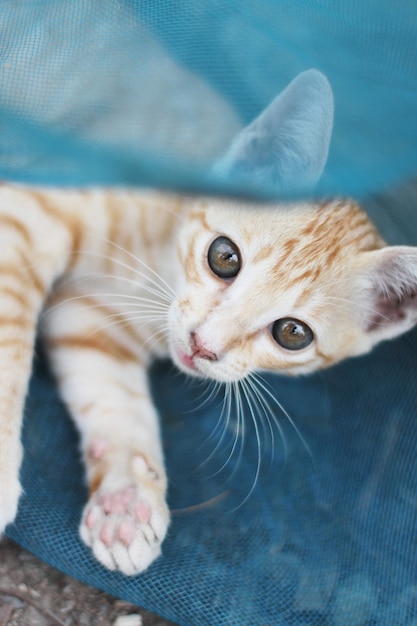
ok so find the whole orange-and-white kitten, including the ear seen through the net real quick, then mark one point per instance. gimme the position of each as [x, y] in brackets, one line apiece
[225, 288]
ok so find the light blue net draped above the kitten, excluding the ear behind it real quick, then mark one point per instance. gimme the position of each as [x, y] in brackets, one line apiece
[150, 92]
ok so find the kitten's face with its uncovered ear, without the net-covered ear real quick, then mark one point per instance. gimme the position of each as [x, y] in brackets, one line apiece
[290, 289]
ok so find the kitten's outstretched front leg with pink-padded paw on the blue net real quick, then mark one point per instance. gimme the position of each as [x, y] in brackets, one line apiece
[105, 386]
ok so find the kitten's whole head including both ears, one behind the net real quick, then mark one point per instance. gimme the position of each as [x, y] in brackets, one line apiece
[294, 287]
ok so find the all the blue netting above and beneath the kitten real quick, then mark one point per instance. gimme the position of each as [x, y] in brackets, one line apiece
[309, 522]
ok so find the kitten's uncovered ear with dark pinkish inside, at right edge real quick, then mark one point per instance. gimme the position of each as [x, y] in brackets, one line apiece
[391, 292]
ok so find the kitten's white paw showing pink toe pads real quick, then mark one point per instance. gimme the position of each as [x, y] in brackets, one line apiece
[125, 528]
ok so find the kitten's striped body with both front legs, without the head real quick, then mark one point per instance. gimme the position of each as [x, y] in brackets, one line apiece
[71, 255]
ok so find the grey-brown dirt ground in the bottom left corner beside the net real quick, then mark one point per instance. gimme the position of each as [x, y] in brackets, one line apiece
[34, 594]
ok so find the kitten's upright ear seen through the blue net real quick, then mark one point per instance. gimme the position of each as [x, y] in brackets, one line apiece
[288, 143]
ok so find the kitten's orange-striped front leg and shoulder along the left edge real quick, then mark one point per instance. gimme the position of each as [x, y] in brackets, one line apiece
[29, 262]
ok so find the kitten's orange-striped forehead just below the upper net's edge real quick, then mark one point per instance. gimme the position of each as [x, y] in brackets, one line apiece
[303, 238]
